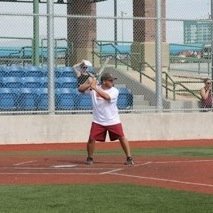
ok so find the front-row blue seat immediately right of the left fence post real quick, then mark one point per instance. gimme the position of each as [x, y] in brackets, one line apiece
[65, 98]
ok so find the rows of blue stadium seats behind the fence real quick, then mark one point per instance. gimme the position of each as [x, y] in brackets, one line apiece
[26, 88]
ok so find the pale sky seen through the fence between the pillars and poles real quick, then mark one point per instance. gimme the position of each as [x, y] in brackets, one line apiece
[176, 9]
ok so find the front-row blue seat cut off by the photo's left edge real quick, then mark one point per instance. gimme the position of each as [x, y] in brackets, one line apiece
[8, 98]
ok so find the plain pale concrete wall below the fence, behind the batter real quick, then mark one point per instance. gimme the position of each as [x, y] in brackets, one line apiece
[32, 129]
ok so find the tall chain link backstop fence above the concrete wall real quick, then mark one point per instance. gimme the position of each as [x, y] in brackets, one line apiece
[120, 39]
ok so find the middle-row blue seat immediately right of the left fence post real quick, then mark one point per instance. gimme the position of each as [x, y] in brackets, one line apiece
[66, 82]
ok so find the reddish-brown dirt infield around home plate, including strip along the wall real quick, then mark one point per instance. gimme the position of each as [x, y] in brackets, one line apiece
[168, 172]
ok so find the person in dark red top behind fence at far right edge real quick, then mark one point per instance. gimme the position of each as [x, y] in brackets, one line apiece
[206, 95]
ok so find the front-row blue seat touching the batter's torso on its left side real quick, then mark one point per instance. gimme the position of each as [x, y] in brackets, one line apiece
[84, 101]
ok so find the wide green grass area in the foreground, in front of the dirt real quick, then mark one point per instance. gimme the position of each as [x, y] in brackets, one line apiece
[100, 199]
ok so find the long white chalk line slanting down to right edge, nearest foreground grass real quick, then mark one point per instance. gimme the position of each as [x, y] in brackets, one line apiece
[163, 180]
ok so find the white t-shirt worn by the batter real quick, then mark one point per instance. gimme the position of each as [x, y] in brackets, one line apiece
[105, 112]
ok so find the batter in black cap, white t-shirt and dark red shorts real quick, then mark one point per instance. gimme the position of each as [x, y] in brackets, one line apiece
[105, 115]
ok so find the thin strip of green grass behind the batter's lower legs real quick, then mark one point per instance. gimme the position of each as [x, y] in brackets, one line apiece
[180, 151]
